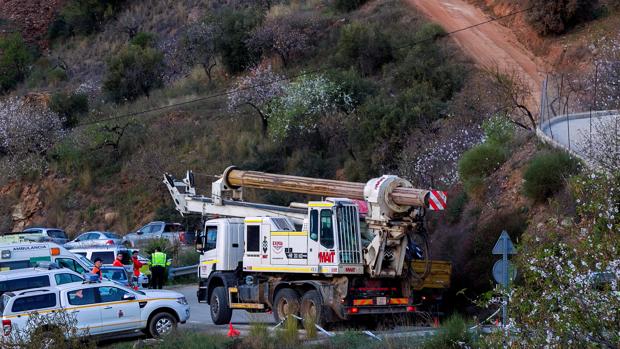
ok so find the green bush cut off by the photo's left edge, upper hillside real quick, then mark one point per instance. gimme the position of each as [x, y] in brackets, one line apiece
[15, 58]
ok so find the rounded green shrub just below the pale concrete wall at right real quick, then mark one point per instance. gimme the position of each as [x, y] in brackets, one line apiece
[547, 174]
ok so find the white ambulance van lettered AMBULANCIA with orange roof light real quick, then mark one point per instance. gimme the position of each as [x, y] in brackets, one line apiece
[27, 255]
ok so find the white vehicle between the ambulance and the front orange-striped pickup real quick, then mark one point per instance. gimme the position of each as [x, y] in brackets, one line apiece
[23, 279]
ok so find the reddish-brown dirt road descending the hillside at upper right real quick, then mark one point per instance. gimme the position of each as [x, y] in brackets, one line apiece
[489, 45]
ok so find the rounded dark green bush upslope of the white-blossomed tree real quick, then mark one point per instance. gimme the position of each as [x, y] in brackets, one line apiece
[363, 46]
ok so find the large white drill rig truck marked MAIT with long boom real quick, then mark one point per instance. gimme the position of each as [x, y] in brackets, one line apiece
[321, 259]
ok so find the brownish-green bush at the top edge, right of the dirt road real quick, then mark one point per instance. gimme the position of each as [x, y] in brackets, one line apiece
[549, 17]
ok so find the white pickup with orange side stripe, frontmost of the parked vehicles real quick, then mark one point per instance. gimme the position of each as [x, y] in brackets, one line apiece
[100, 308]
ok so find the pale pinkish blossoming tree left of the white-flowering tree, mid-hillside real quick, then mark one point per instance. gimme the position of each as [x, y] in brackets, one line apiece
[256, 90]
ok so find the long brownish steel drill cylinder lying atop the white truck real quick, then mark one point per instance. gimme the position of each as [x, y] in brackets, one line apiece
[320, 187]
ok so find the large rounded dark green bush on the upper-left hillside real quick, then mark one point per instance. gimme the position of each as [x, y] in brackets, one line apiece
[134, 72]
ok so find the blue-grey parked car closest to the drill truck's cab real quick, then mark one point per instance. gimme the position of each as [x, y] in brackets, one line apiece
[173, 232]
